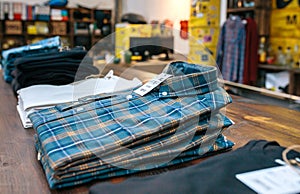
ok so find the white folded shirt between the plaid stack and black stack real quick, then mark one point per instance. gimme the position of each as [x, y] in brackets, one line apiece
[38, 97]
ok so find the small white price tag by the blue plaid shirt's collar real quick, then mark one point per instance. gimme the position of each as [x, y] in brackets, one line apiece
[150, 85]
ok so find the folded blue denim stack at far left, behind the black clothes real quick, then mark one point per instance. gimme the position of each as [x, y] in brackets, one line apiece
[9, 56]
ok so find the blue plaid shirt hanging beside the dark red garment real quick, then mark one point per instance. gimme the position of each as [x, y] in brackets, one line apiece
[231, 49]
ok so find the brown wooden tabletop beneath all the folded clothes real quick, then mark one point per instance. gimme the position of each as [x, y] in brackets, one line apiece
[20, 172]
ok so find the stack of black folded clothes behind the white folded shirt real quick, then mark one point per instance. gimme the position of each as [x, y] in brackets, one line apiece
[55, 68]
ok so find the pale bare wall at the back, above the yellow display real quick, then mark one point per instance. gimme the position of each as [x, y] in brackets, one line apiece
[175, 10]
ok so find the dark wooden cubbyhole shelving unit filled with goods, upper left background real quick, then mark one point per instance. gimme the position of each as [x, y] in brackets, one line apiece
[98, 24]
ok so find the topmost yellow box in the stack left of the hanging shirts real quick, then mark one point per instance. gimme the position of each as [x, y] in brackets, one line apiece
[205, 13]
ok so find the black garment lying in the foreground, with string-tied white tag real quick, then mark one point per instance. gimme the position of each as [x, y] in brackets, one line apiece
[214, 175]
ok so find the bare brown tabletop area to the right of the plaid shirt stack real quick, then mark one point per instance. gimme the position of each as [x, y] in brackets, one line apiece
[260, 121]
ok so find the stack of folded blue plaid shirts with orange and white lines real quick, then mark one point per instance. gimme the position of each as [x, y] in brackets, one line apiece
[106, 136]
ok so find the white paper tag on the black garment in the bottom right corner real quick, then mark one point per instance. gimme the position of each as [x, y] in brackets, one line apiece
[282, 179]
